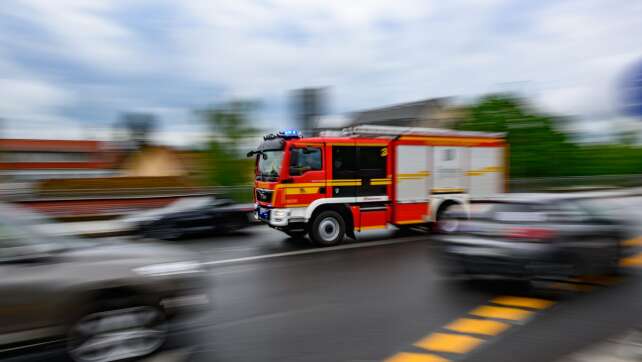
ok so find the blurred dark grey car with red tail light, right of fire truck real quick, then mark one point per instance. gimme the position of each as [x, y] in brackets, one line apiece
[531, 235]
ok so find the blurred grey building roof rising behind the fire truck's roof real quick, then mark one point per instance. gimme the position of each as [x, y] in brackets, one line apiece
[432, 113]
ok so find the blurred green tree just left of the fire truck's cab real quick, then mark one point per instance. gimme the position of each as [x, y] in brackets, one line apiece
[230, 126]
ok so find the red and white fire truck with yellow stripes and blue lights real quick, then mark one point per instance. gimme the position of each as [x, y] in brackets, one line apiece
[371, 177]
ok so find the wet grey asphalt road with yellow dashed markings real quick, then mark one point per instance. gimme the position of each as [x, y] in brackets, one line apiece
[278, 299]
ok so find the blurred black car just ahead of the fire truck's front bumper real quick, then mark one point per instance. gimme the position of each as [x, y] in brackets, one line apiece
[190, 216]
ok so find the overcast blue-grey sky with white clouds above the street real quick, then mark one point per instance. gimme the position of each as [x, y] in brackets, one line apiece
[69, 67]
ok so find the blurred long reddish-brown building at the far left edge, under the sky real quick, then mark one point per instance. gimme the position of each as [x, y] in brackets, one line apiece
[35, 159]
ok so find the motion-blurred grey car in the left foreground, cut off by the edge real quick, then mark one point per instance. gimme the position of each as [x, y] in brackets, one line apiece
[103, 300]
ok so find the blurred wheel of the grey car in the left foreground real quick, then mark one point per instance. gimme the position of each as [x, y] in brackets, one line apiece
[107, 335]
